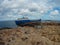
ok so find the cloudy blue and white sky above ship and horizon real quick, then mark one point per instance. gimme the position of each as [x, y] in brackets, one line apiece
[33, 9]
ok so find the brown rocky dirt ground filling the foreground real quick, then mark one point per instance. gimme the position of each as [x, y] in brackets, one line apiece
[47, 35]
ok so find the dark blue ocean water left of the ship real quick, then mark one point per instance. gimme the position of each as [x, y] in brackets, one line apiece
[8, 24]
